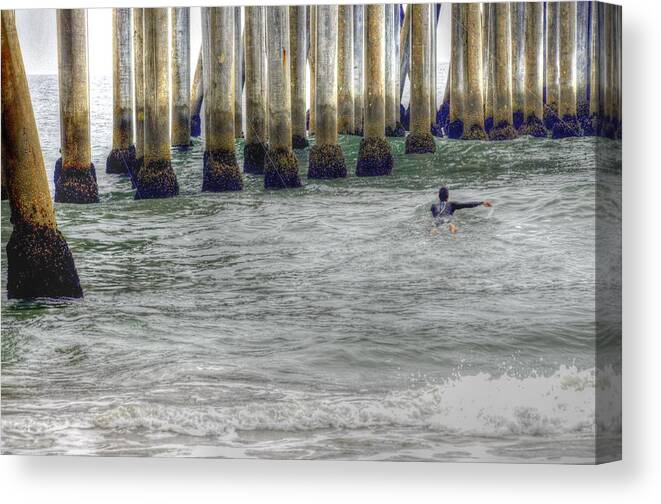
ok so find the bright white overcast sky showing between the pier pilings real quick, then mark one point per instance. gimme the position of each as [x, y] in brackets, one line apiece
[38, 35]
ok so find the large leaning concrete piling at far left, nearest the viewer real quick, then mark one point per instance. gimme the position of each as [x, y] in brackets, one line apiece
[39, 261]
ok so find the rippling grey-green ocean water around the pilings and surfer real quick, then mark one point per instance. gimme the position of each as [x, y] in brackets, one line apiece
[327, 322]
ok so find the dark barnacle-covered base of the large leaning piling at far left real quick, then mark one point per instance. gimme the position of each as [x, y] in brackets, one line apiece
[40, 264]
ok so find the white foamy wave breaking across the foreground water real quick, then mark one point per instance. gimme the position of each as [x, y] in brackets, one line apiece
[482, 405]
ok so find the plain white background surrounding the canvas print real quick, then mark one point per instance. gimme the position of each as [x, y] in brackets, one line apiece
[636, 479]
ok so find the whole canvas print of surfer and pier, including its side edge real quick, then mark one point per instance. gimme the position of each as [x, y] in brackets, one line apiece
[355, 232]
